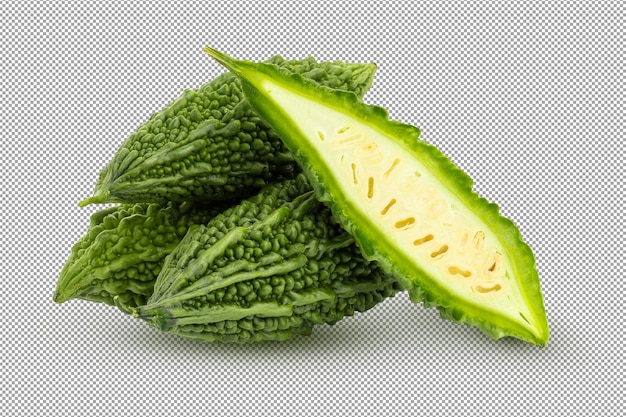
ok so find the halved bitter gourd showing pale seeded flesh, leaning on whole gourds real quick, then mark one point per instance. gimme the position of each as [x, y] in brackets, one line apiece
[406, 204]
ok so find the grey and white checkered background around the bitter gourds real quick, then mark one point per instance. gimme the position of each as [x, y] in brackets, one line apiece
[528, 99]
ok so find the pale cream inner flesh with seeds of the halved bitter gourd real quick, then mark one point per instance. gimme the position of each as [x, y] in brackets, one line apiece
[407, 205]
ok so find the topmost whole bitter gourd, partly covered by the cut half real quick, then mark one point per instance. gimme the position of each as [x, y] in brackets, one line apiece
[209, 145]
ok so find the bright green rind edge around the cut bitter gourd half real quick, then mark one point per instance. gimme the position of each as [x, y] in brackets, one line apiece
[458, 180]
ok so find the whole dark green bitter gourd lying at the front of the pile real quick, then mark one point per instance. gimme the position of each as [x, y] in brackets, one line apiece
[270, 268]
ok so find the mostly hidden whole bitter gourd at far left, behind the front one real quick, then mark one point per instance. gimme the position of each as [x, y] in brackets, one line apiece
[123, 251]
